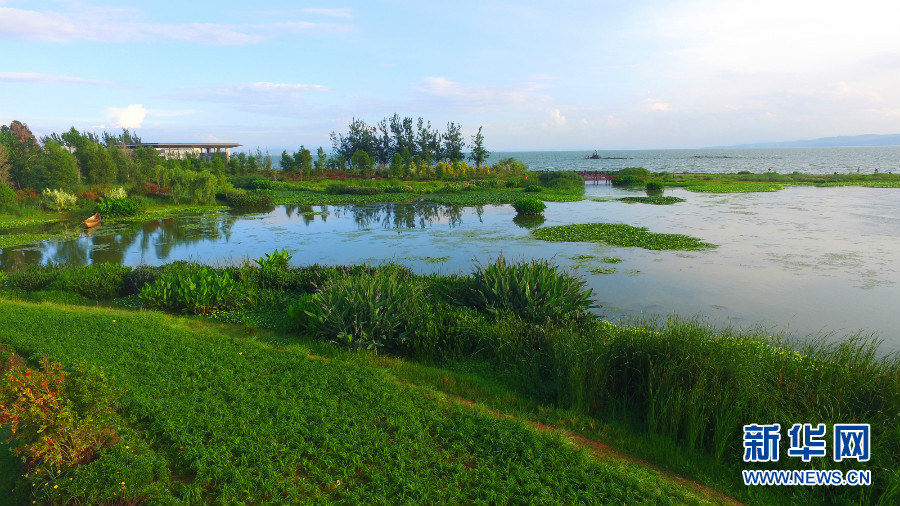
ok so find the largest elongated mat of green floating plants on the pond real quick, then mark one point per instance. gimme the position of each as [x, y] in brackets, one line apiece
[619, 235]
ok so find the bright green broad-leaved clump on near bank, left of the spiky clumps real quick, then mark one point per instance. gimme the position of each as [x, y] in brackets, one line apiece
[188, 287]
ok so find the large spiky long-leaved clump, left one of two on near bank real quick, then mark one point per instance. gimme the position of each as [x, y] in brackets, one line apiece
[363, 312]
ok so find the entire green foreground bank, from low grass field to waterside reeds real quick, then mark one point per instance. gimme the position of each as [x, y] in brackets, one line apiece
[273, 409]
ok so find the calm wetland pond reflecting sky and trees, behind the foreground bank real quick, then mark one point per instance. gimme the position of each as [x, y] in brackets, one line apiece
[803, 260]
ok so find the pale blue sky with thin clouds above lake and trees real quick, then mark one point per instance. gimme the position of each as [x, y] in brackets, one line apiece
[535, 75]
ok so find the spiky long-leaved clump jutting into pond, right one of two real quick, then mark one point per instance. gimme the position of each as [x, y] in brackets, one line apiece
[534, 291]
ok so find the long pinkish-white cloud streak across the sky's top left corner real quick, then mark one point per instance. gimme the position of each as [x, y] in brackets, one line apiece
[125, 25]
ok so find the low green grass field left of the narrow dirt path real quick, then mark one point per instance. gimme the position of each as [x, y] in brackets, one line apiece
[241, 421]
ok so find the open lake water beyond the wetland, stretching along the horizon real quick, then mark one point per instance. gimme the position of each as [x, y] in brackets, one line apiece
[783, 160]
